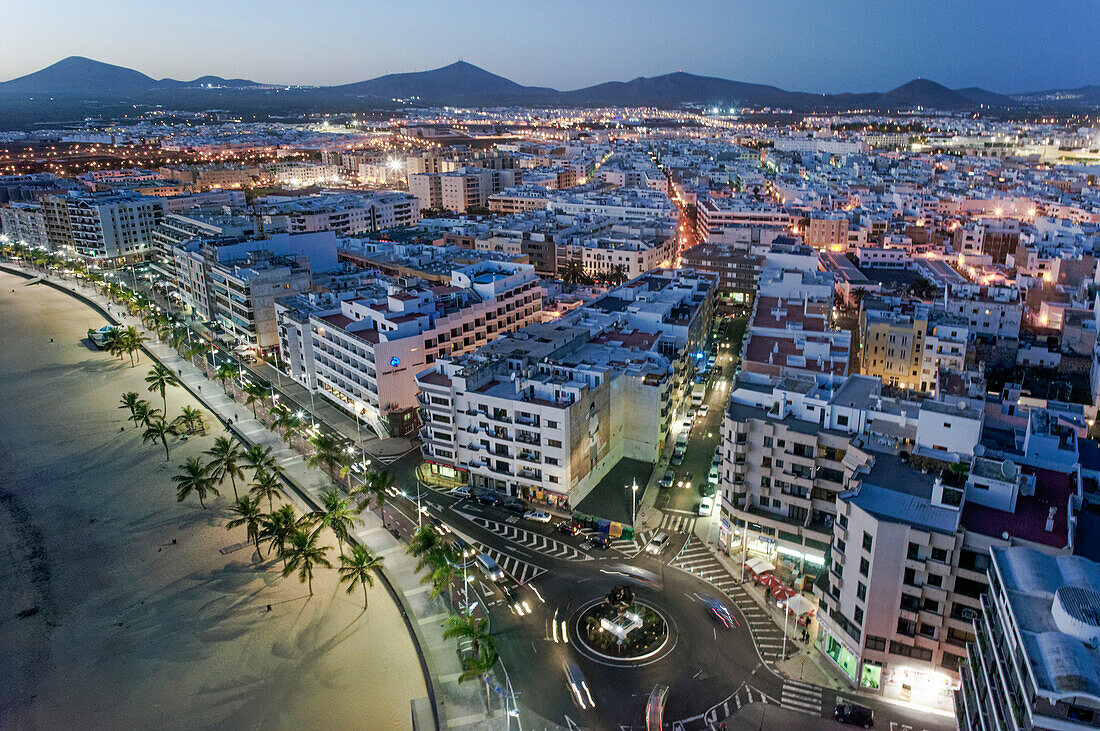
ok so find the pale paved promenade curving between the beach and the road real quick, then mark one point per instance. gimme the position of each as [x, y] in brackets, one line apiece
[456, 706]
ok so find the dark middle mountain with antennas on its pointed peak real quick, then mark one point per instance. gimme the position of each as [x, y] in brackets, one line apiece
[455, 83]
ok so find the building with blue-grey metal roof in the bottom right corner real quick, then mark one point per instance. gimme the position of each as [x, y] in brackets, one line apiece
[1035, 662]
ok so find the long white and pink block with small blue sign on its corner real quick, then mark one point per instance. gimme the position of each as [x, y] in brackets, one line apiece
[365, 352]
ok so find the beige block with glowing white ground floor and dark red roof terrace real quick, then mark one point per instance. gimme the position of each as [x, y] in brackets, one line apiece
[910, 552]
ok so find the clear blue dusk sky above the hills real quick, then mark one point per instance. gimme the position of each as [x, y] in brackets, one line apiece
[806, 46]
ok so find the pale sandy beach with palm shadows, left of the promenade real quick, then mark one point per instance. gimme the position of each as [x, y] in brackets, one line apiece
[140, 621]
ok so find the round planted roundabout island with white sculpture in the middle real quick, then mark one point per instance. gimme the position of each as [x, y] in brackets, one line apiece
[623, 630]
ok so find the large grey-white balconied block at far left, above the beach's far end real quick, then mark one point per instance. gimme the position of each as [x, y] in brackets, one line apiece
[115, 227]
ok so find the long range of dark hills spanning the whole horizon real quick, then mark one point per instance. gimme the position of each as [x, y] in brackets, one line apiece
[86, 82]
